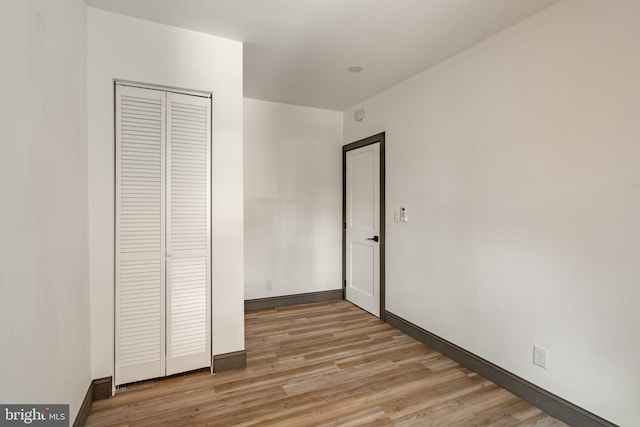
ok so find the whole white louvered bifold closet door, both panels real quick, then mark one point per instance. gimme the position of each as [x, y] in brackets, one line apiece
[163, 235]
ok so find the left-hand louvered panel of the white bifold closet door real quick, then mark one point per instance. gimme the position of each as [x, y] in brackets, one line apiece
[140, 234]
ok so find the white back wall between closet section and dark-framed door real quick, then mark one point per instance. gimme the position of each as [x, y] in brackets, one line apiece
[293, 205]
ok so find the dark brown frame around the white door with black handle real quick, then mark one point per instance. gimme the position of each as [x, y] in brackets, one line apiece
[378, 138]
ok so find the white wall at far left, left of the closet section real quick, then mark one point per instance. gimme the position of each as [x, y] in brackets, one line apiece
[44, 265]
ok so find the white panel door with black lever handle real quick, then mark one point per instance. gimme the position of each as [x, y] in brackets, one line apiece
[363, 227]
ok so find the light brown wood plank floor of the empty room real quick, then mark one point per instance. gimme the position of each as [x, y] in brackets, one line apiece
[324, 364]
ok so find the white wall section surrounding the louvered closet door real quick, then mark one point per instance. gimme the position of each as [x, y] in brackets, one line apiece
[127, 48]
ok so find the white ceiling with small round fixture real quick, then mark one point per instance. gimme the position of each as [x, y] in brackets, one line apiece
[298, 51]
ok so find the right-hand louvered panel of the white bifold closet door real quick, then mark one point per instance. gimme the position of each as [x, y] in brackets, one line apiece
[188, 233]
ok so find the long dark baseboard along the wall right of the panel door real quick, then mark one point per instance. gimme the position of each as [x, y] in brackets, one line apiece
[539, 397]
